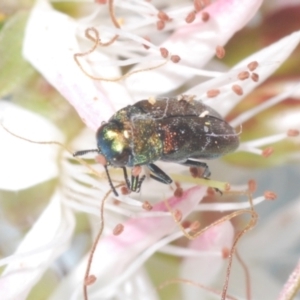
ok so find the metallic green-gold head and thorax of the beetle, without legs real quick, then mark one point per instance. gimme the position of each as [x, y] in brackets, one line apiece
[132, 135]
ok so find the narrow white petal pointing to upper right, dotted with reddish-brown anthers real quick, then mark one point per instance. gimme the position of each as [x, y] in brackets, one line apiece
[269, 59]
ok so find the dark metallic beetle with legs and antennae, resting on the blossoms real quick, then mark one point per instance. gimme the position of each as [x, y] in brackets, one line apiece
[180, 130]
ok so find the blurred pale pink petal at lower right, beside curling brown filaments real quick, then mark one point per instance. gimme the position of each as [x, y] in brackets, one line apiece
[205, 268]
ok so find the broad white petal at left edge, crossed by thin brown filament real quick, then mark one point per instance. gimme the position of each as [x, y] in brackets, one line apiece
[24, 164]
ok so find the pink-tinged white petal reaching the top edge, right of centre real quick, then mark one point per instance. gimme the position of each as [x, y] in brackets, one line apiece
[199, 39]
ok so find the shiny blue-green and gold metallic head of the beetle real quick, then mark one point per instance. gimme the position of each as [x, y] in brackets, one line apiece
[113, 144]
